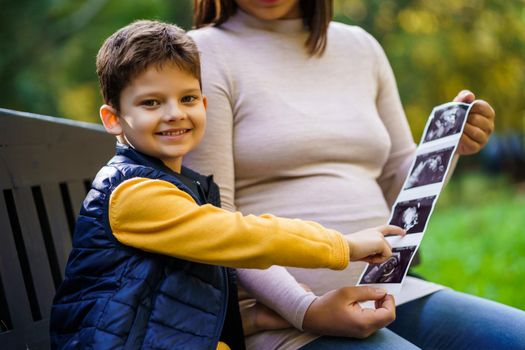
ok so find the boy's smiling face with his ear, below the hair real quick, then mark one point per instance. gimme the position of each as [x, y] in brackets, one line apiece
[162, 114]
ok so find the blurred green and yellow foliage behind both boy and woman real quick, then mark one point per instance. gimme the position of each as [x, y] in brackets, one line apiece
[437, 48]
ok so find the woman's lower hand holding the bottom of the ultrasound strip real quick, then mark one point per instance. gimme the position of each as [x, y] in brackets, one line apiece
[338, 313]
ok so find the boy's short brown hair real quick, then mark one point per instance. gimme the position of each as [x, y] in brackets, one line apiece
[134, 48]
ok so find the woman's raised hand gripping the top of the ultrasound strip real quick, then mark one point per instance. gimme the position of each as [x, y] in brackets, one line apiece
[479, 126]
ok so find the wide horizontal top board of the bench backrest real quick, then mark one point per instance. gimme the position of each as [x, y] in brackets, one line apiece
[39, 150]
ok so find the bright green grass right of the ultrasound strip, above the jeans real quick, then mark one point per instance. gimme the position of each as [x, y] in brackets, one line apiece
[475, 240]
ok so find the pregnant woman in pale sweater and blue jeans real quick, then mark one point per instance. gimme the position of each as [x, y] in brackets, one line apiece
[305, 121]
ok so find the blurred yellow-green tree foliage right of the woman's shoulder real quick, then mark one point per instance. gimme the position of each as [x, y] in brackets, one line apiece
[439, 47]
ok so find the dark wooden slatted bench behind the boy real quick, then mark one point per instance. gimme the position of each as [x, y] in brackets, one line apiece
[46, 167]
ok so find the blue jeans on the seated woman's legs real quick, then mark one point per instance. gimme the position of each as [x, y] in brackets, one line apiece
[443, 320]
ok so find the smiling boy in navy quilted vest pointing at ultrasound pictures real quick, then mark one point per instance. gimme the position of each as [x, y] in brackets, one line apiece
[145, 270]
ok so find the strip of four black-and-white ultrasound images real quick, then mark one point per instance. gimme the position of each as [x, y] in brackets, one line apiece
[434, 157]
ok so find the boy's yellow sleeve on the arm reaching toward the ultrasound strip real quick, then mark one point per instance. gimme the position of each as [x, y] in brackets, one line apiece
[155, 216]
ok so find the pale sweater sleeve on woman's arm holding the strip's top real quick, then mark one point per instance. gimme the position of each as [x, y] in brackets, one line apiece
[391, 112]
